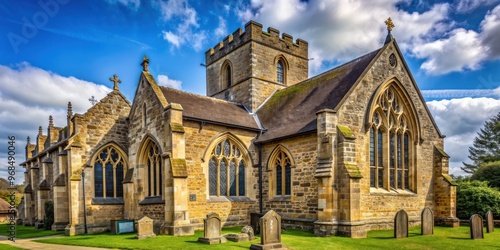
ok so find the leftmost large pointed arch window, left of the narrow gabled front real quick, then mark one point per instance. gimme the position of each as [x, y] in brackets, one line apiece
[108, 173]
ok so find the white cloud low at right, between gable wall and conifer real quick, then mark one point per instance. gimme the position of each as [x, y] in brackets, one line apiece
[460, 120]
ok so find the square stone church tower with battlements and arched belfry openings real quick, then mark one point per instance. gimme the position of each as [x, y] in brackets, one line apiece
[247, 67]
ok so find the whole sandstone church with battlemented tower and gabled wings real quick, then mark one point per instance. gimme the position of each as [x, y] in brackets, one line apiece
[338, 153]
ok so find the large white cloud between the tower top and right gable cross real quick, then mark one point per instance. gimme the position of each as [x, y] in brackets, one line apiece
[335, 30]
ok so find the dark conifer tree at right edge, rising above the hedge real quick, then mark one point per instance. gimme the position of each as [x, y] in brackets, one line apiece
[486, 145]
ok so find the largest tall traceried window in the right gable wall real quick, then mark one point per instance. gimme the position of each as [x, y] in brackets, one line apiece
[391, 151]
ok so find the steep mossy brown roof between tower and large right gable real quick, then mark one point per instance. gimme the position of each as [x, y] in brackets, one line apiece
[292, 110]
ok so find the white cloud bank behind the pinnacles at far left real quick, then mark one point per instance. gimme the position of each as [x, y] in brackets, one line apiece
[29, 95]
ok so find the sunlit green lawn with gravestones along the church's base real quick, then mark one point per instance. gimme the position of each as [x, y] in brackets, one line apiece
[443, 238]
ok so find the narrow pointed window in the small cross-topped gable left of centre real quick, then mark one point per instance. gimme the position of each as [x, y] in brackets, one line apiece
[153, 162]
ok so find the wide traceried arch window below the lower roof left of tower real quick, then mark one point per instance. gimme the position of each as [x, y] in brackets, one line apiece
[226, 170]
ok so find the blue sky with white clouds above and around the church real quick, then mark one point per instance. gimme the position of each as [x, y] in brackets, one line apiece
[55, 51]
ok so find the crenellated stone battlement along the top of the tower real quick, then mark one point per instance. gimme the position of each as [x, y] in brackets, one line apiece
[253, 32]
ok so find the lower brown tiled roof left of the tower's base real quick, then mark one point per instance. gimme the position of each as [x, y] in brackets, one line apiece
[210, 109]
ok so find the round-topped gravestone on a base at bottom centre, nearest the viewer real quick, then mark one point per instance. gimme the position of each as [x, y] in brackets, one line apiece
[270, 232]
